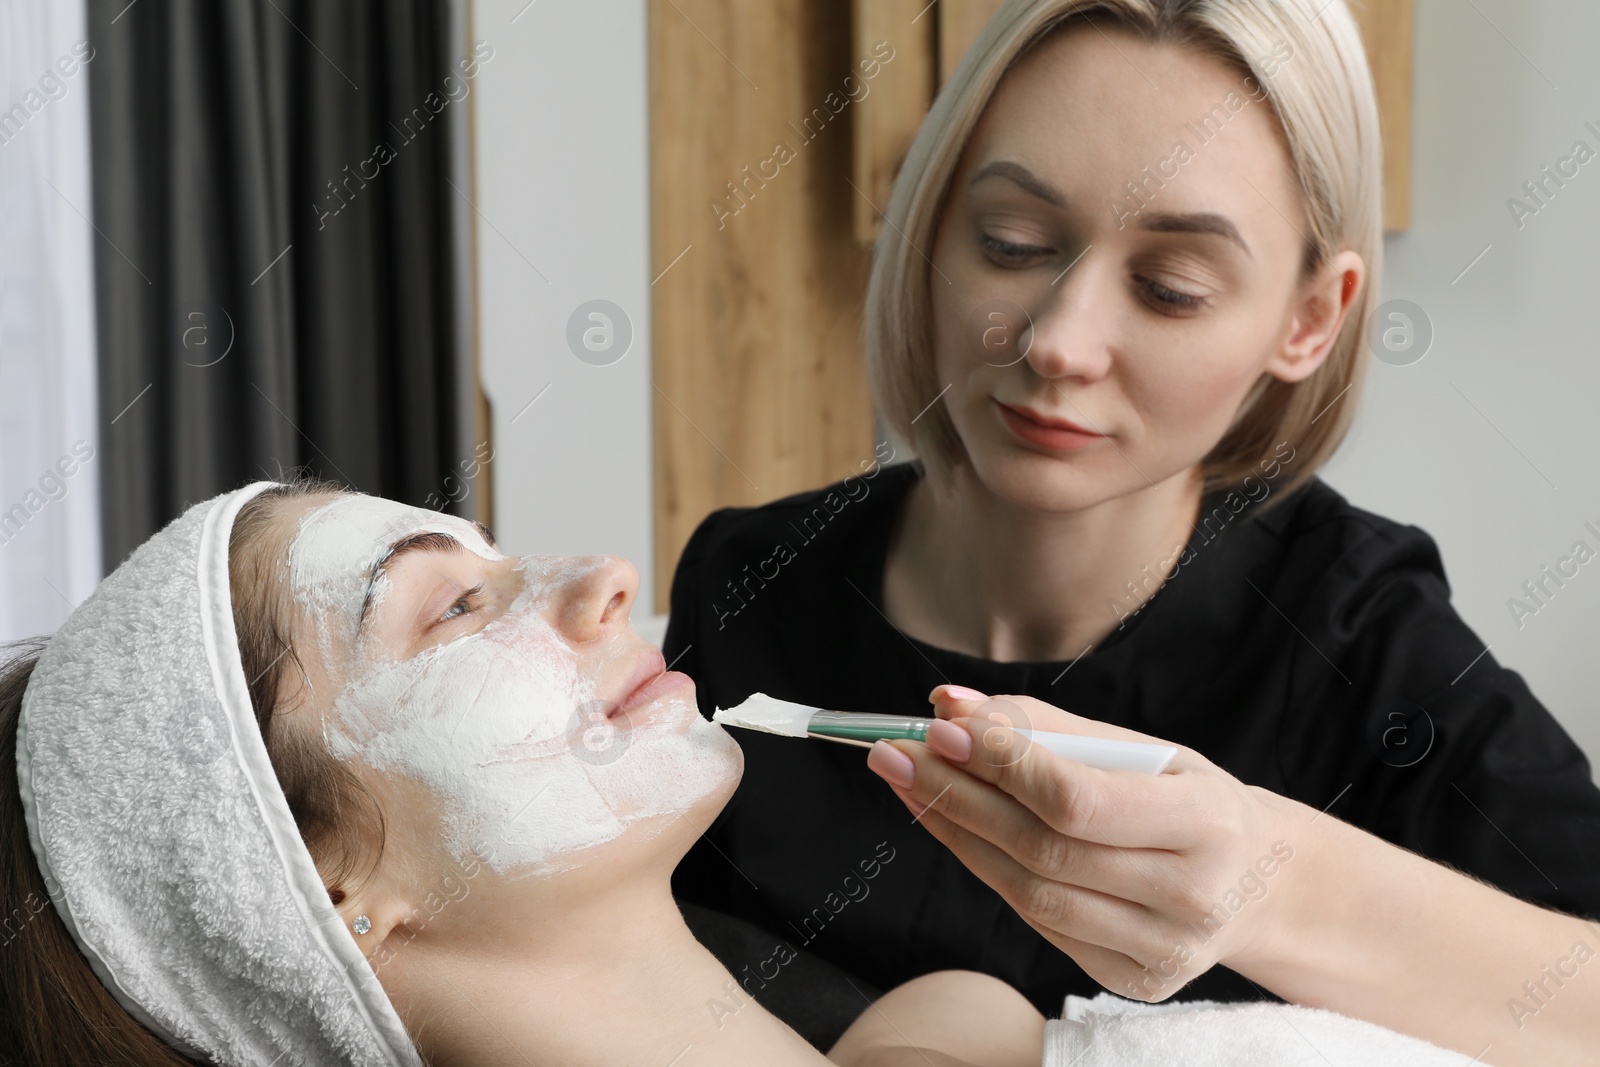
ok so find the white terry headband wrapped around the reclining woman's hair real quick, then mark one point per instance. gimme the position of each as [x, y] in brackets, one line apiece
[162, 834]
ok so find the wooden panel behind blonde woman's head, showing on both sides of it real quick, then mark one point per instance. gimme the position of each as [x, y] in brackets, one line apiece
[1386, 30]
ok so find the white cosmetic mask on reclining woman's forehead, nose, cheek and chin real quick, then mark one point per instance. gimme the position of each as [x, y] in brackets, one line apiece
[502, 724]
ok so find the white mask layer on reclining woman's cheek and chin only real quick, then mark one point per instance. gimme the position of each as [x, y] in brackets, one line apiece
[495, 725]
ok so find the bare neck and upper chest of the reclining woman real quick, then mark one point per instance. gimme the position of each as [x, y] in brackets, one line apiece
[614, 980]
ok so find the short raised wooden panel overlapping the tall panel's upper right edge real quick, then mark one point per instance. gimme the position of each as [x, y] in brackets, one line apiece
[887, 119]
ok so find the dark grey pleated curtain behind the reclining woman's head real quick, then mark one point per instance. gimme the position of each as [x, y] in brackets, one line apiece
[274, 276]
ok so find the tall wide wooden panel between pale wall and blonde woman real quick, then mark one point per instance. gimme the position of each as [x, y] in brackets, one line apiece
[759, 382]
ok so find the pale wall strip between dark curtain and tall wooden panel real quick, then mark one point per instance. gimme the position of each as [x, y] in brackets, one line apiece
[561, 137]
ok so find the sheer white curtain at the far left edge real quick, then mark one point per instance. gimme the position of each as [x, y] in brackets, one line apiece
[50, 546]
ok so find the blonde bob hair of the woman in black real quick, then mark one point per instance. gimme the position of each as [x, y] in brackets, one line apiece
[1329, 113]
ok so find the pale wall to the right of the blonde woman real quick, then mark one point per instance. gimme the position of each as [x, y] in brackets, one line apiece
[1514, 337]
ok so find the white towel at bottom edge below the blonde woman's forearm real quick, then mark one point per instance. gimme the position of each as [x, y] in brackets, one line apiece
[1116, 1033]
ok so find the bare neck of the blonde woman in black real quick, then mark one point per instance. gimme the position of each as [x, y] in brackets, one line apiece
[990, 578]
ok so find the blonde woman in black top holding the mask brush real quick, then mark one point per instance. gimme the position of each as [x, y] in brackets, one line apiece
[1116, 322]
